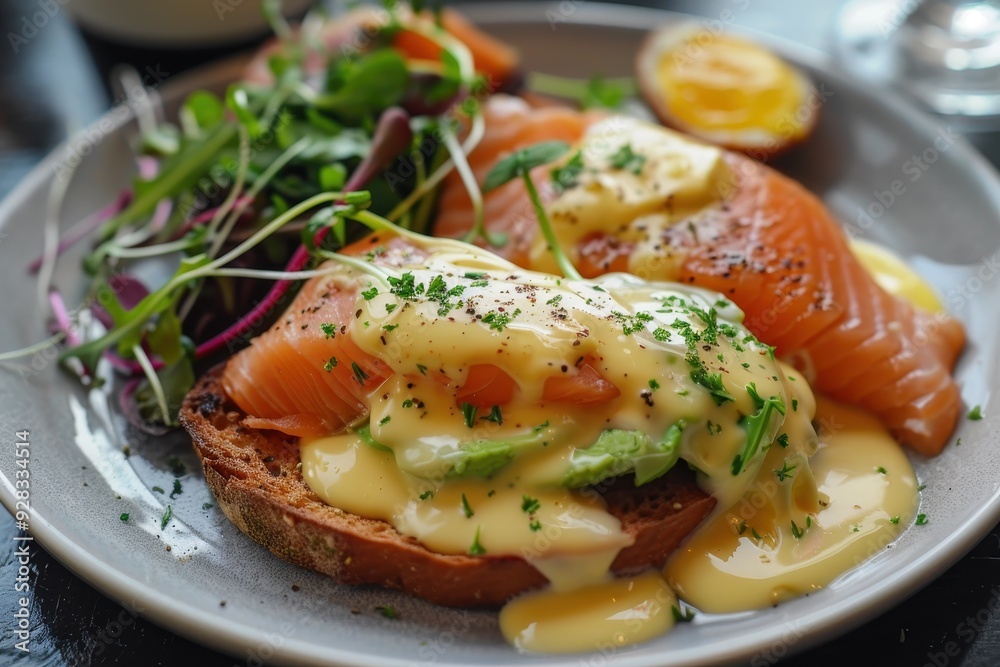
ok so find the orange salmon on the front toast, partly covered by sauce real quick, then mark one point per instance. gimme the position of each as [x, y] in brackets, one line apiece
[306, 377]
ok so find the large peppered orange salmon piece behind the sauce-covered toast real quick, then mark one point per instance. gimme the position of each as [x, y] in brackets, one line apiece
[772, 248]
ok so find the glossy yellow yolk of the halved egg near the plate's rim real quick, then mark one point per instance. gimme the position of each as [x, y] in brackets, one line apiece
[730, 84]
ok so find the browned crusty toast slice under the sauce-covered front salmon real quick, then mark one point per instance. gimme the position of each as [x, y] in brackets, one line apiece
[255, 477]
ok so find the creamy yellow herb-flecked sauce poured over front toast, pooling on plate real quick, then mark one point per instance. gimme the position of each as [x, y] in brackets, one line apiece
[515, 393]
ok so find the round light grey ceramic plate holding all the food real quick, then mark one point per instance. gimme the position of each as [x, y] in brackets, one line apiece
[946, 223]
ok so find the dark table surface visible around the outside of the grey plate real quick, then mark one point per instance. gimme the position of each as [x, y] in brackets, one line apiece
[52, 84]
